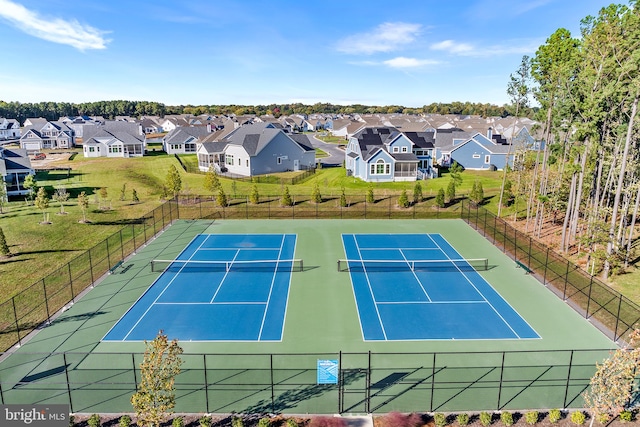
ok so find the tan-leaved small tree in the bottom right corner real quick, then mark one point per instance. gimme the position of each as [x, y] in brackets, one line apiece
[613, 385]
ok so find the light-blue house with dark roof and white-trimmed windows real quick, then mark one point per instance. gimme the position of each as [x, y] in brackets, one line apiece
[384, 154]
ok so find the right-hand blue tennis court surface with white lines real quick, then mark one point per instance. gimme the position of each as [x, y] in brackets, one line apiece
[441, 298]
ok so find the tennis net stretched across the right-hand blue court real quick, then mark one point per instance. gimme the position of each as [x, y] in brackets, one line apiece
[430, 265]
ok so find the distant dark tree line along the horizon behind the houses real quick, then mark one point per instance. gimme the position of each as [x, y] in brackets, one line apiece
[111, 109]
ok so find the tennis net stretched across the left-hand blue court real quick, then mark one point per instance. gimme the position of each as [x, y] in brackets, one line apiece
[187, 266]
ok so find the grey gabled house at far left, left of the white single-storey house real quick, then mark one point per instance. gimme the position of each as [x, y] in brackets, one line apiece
[39, 134]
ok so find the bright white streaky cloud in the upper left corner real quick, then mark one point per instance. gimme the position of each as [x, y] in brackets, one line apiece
[56, 30]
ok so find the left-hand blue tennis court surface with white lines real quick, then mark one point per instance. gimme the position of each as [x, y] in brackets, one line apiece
[222, 287]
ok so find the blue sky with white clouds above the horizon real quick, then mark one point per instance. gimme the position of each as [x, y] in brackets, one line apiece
[202, 52]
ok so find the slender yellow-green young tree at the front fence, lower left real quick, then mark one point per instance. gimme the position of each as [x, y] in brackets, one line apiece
[155, 398]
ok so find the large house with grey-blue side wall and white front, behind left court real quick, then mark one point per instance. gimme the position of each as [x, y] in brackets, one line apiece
[257, 149]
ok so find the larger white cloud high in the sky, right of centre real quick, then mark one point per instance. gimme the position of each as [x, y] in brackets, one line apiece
[385, 37]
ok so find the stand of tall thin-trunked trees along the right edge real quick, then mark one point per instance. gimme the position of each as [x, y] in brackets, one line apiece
[587, 178]
